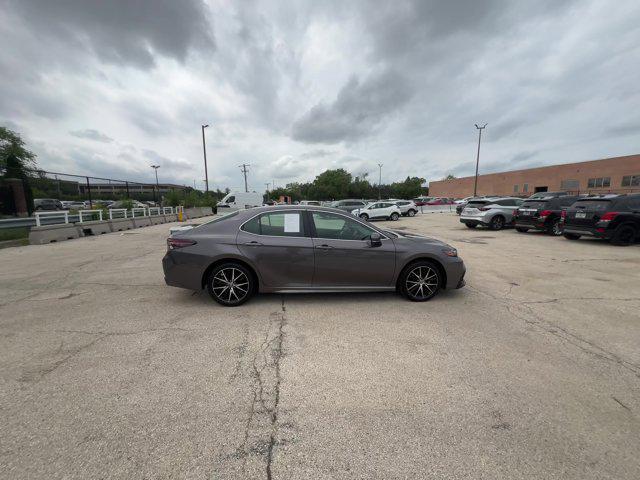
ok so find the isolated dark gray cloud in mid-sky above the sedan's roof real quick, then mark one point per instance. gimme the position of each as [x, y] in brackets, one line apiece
[359, 108]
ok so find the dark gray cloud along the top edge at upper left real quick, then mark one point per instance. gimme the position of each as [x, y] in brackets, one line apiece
[123, 31]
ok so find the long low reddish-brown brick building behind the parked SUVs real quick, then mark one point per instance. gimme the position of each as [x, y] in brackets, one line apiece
[609, 175]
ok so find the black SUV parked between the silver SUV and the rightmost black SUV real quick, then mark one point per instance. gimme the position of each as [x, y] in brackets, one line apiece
[543, 213]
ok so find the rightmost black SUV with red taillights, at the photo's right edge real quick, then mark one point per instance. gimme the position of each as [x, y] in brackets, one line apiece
[612, 217]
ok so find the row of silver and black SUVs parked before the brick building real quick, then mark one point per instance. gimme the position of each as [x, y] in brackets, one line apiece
[611, 217]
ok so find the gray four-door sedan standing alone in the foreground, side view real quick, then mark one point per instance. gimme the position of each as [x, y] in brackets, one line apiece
[304, 249]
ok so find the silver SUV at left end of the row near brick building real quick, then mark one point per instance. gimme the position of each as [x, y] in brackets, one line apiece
[495, 213]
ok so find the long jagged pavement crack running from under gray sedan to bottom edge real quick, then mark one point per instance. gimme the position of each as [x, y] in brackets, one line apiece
[262, 420]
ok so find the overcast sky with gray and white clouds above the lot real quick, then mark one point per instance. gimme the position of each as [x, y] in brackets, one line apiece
[293, 88]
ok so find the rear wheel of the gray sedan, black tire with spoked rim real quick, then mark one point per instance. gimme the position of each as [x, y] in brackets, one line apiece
[226, 273]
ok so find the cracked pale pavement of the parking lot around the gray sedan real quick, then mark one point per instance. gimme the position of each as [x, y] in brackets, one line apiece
[531, 371]
